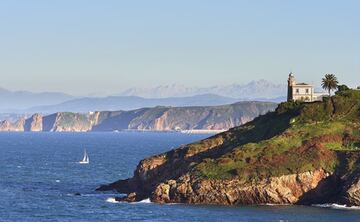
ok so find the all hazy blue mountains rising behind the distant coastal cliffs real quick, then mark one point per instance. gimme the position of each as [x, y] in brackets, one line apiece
[171, 95]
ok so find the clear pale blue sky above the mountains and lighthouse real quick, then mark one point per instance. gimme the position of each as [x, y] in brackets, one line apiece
[85, 47]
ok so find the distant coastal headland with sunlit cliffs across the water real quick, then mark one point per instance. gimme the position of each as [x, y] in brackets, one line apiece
[159, 118]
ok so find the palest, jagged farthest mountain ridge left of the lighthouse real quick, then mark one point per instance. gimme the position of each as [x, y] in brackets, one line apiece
[249, 91]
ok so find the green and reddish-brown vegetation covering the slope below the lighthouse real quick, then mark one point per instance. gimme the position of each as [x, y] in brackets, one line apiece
[297, 137]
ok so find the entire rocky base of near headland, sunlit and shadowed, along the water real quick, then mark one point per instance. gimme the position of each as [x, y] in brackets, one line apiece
[307, 188]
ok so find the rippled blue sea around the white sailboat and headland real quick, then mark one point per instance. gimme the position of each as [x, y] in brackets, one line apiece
[39, 175]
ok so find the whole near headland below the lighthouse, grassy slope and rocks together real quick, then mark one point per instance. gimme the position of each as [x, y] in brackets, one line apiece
[299, 154]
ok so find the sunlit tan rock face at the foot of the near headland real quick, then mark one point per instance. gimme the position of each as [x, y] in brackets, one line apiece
[286, 189]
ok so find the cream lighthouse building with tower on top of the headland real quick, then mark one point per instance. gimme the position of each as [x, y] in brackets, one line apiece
[302, 91]
